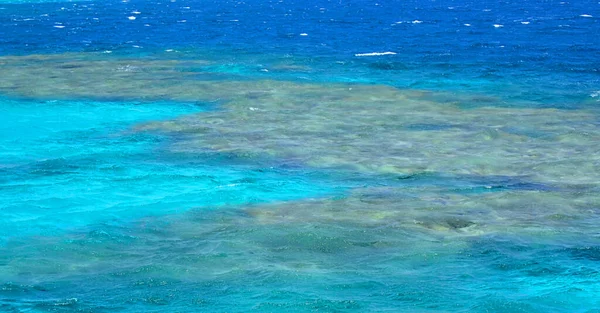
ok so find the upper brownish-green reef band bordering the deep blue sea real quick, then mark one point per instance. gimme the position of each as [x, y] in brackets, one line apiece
[370, 128]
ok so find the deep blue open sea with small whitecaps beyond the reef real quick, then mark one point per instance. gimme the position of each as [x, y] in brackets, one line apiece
[552, 60]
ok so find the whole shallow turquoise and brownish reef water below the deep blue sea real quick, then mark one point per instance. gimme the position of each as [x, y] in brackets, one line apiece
[196, 192]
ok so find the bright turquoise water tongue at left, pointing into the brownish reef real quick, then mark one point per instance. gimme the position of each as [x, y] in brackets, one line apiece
[67, 164]
